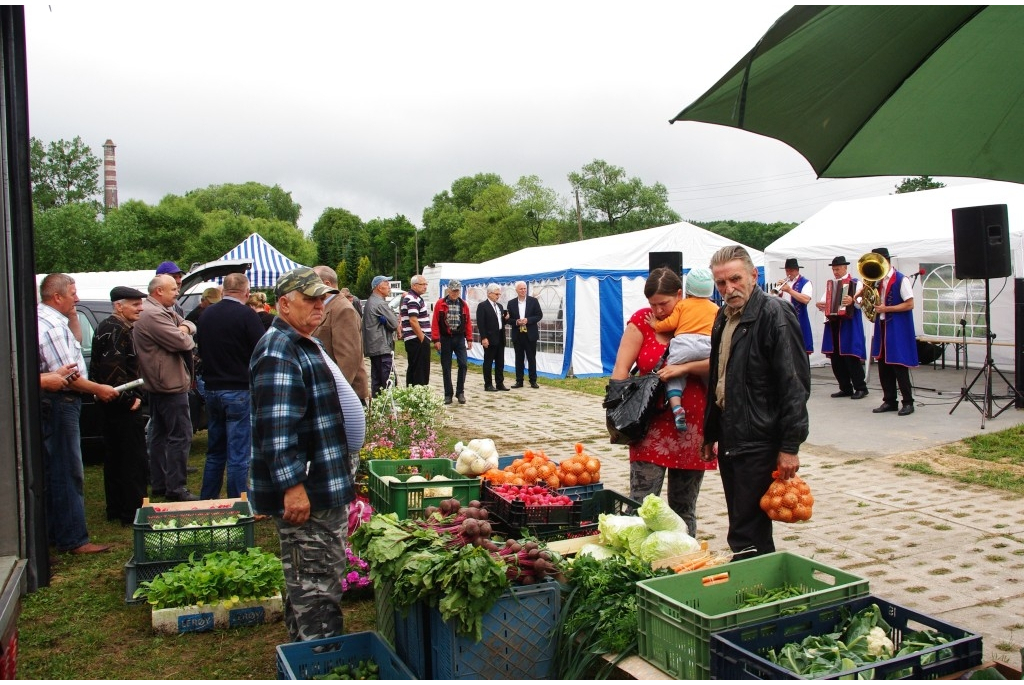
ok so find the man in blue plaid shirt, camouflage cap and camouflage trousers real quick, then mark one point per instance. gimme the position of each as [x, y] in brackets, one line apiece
[308, 430]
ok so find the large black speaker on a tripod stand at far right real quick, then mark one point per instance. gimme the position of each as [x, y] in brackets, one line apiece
[982, 242]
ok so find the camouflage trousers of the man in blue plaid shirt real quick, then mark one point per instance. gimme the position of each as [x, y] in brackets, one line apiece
[314, 558]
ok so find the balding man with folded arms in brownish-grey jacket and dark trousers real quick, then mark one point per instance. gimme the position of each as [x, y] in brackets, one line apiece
[164, 345]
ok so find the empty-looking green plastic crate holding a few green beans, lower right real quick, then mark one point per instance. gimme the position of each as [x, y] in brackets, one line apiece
[678, 614]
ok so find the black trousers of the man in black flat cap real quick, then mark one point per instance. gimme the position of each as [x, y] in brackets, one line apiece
[126, 463]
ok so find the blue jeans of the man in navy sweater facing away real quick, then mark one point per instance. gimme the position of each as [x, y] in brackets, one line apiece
[229, 434]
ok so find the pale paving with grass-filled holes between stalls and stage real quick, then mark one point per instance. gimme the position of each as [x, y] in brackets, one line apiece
[949, 550]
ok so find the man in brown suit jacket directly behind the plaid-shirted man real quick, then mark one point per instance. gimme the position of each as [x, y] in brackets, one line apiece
[342, 333]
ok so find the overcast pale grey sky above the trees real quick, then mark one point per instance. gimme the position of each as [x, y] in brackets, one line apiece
[377, 106]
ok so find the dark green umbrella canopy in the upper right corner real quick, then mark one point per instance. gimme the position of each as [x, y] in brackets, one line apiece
[885, 91]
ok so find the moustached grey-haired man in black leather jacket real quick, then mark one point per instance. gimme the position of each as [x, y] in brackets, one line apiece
[757, 409]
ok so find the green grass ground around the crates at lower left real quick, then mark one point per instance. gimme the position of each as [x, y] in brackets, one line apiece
[80, 627]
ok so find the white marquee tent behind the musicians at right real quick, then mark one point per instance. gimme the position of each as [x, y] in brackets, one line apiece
[917, 228]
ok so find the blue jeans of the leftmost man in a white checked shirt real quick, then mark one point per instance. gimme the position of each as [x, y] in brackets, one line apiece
[65, 474]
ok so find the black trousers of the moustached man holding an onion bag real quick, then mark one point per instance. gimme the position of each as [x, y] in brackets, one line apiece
[746, 479]
